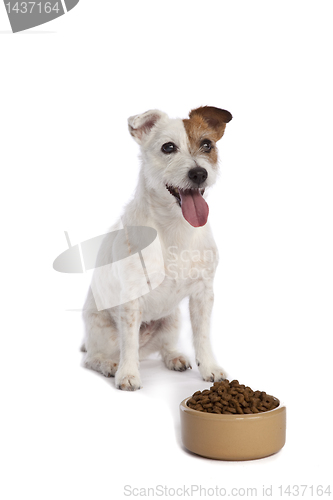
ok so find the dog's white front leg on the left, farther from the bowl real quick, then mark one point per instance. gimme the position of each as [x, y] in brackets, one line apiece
[129, 321]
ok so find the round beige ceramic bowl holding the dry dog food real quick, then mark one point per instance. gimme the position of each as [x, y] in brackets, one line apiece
[233, 437]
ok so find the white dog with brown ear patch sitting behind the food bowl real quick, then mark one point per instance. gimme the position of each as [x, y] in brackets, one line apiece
[179, 161]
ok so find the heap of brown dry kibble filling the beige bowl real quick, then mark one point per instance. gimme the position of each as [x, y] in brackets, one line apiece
[231, 398]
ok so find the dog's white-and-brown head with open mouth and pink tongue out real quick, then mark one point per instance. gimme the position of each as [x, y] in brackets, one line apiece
[180, 158]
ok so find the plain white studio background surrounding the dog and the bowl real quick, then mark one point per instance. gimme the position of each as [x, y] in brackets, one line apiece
[68, 163]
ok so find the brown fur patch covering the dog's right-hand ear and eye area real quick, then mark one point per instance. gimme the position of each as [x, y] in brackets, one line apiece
[206, 123]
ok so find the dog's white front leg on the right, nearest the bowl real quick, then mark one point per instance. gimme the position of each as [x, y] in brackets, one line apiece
[201, 304]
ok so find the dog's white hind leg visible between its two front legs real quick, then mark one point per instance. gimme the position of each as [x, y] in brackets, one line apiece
[168, 337]
